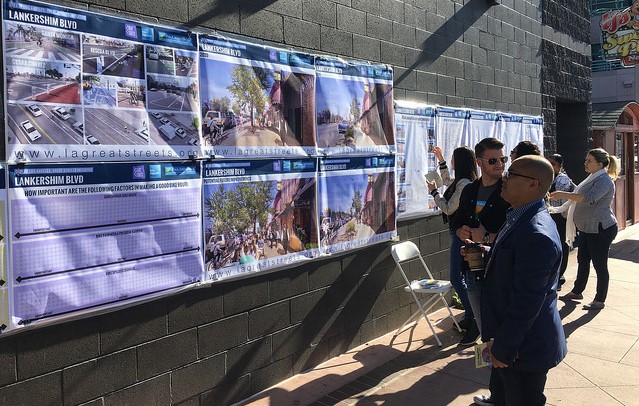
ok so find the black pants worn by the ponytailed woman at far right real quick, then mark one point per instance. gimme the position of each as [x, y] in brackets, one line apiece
[594, 247]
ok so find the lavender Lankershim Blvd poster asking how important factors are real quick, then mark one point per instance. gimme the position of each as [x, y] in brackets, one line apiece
[87, 236]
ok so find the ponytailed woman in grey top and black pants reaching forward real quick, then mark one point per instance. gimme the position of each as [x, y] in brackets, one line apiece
[590, 213]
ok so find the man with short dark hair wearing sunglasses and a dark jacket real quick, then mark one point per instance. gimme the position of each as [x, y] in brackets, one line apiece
[481, 213]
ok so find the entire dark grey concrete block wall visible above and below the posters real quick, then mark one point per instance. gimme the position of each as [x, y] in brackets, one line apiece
[221, 344]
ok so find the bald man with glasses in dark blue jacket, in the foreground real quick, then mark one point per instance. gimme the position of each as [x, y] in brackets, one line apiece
[519, 294]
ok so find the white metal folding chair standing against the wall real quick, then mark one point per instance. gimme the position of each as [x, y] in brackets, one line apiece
[428, 295]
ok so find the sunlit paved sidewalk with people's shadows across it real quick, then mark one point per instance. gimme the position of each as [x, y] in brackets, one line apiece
[602, 366]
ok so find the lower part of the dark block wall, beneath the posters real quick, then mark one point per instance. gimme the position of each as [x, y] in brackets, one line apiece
[218, 345]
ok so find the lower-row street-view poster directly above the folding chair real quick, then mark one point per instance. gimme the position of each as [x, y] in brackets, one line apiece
[356, 202]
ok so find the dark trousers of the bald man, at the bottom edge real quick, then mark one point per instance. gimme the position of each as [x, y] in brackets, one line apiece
[511, 387]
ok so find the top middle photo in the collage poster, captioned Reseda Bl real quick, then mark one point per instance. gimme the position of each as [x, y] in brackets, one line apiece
[112, 57]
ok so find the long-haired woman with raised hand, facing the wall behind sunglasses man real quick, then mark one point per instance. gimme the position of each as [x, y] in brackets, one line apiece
[464, 164]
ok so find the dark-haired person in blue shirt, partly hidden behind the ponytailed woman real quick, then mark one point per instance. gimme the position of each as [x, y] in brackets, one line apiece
[561, 183]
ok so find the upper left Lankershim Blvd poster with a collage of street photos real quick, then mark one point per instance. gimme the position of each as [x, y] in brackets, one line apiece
[87, 87]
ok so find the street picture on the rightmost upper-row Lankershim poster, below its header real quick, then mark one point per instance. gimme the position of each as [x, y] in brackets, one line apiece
[353, 113]
